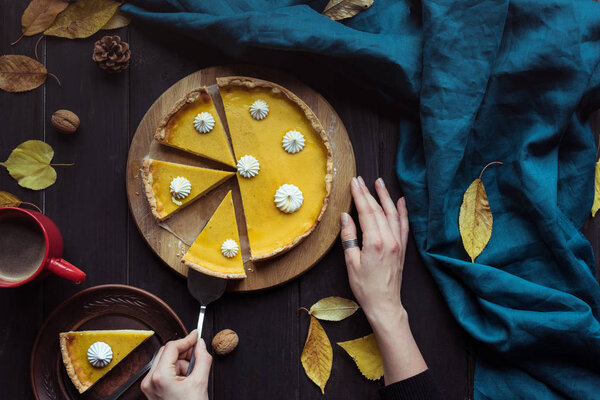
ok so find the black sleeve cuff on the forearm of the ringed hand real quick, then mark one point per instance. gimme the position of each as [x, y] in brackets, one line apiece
[418, 387]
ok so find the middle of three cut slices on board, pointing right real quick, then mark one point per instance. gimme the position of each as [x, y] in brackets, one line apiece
[160, 176]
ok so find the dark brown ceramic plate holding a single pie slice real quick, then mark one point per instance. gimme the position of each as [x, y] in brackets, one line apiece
[101, 307]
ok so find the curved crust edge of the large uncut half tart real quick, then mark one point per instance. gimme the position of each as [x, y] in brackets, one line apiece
[248, 82]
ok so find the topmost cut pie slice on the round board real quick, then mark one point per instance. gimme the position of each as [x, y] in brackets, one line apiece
[205, 137]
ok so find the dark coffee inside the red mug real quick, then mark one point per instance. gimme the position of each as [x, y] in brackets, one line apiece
[22, 247]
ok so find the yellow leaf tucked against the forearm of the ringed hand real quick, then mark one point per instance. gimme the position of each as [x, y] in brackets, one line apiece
[365, 353]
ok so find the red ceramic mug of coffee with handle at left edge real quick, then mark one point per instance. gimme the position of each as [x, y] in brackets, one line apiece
[50, 262]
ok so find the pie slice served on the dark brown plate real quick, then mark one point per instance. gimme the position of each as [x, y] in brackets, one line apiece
[74, 348]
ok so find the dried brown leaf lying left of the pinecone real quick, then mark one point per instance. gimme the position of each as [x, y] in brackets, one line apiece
[20, 73]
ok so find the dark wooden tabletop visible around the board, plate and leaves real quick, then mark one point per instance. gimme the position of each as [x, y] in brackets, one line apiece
[89, 204]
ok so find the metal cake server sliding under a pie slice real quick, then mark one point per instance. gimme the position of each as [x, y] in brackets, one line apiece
[205, 289]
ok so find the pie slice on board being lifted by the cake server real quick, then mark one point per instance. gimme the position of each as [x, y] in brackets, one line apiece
[216, 250]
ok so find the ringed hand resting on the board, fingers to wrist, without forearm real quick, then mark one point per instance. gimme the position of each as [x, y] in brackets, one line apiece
[375, 271]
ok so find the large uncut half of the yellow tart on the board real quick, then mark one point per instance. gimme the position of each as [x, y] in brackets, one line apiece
[271, 231]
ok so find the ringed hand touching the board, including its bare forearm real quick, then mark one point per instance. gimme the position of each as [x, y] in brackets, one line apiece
[375, 275]
